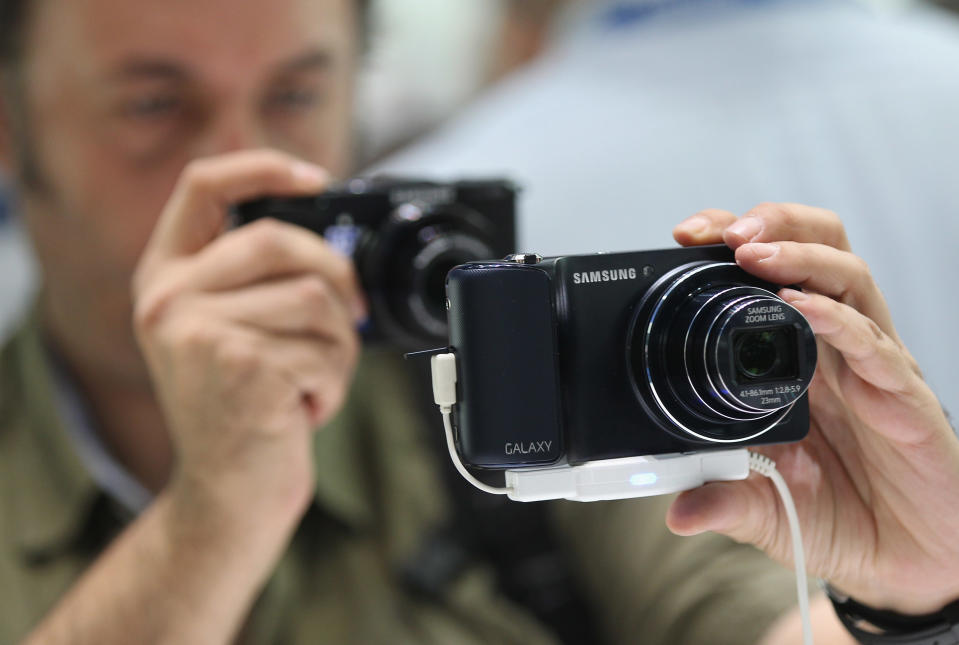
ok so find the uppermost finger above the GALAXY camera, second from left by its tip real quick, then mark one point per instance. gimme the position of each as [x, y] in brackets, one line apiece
[791, 222]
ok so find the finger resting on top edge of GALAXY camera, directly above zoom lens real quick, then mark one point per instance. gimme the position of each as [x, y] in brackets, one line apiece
[822, 269]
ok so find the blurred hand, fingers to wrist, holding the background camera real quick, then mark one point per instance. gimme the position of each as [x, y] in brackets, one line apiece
[249, 337]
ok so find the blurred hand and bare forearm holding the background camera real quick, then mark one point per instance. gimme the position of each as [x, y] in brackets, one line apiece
[249, 337]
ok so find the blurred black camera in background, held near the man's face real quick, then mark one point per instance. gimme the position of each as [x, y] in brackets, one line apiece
[404, 236]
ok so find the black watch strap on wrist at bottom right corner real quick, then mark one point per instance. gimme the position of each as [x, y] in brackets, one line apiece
[940, 628]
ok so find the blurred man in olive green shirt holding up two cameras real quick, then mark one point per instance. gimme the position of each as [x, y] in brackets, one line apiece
[161, 481]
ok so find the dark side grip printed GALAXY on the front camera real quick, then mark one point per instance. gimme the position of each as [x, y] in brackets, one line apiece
[503, 333]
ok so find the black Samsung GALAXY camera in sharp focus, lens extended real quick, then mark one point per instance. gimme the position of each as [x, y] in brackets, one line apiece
[580, 358]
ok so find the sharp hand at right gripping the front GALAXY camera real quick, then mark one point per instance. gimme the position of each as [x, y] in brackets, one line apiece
[876, 480]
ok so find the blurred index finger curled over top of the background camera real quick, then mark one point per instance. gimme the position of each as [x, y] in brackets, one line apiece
[207, 188]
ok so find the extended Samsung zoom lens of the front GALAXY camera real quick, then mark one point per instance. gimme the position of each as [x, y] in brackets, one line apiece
[717, 355]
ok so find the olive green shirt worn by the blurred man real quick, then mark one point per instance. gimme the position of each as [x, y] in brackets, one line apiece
[378, 493]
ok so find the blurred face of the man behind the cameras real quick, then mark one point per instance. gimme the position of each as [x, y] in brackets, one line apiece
[121, 94]
